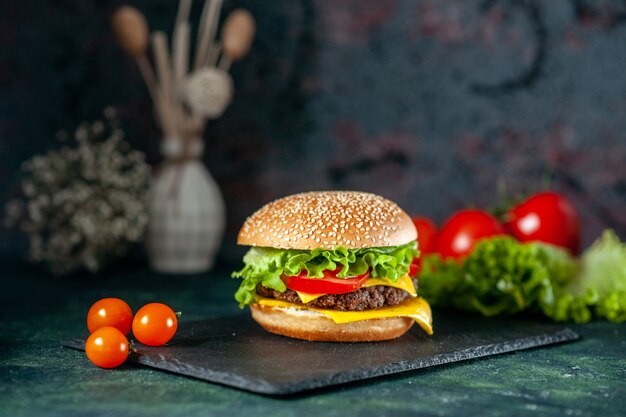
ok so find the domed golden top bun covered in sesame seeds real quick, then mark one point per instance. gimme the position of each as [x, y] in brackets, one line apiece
[327, 220]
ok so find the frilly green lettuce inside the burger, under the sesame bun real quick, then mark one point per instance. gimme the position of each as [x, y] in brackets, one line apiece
[265, 266]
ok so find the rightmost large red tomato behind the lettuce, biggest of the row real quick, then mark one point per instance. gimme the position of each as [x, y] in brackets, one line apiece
[546, 217]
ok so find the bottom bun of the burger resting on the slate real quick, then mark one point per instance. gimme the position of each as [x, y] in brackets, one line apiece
[313, 326]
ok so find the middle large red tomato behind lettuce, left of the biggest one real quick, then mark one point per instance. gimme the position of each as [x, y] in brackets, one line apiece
[461, 232]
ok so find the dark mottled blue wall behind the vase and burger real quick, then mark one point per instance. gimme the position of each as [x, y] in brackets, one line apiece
[428, 103]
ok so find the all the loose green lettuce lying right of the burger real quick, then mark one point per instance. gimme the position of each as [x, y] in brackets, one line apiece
[504, 276]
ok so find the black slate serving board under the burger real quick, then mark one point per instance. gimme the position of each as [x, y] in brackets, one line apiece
[235, 351]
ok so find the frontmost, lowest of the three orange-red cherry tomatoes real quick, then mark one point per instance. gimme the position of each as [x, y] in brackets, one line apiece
[107, 347]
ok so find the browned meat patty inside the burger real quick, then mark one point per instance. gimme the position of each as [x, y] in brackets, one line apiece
[366, 298]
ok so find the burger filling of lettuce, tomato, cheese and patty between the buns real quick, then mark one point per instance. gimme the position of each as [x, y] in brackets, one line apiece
[340, 279]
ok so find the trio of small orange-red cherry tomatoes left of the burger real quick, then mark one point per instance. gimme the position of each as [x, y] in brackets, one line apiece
[110, 319]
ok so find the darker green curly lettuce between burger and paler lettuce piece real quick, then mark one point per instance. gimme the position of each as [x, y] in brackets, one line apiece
[501, 276]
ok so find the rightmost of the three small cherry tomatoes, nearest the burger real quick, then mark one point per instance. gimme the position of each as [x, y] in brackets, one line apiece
[155, 324]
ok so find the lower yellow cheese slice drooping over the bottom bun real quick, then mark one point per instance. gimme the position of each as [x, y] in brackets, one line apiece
[417, 309]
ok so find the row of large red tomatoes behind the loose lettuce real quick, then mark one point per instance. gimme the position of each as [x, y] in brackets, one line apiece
[546, 217]
